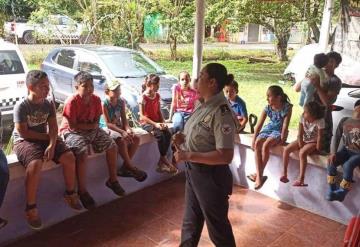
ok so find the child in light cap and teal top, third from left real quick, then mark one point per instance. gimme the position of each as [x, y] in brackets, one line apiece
[114, 122]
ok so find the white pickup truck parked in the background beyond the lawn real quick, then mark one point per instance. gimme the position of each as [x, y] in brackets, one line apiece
[54, 27]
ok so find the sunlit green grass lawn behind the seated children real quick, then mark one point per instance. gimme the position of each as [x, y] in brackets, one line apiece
[253, 78]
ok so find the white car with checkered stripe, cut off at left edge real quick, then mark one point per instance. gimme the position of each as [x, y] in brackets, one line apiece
[13, 71]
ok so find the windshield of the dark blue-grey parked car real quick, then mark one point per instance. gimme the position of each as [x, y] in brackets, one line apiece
[129, 64]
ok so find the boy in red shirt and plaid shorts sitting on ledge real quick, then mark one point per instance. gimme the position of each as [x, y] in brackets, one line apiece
[80, 128]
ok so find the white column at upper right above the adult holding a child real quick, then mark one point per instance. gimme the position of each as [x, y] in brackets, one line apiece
[325, 25]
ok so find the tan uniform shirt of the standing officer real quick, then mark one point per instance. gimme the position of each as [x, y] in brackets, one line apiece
[211, 126]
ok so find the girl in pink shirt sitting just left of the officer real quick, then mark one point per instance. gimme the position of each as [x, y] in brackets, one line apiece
[183, 102]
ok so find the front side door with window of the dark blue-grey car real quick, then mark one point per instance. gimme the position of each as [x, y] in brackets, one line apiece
[88, 62]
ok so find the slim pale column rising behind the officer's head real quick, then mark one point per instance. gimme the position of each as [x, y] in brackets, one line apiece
[198, 38]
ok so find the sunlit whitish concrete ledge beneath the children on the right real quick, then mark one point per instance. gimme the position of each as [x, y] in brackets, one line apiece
[311, 198]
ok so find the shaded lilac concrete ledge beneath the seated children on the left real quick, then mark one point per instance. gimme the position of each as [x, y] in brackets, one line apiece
[51, 205]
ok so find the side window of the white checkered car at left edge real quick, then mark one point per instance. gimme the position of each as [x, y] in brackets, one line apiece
[10, 63]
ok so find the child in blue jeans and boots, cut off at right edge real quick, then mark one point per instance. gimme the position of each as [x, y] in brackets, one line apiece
[349, 156]
